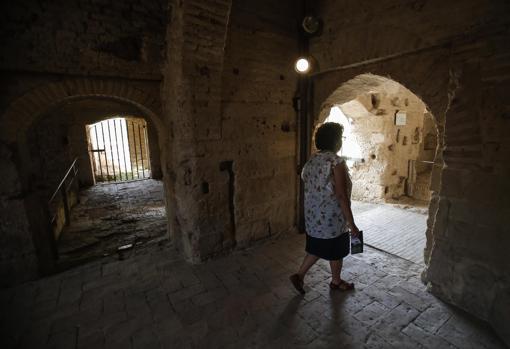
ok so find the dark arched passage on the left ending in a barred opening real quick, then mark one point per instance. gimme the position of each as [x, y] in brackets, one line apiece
[116, 201]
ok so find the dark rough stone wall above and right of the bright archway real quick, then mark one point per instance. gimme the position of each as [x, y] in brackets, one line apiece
[454, 56]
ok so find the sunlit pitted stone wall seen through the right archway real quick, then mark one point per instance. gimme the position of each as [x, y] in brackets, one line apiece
[389, 162]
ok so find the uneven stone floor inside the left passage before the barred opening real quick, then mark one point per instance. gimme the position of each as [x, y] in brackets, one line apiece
[112, 215]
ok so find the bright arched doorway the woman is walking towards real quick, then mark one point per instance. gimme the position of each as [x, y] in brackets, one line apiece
[390, 141]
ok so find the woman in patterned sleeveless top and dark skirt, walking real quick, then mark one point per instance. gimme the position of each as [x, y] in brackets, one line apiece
[328, 215]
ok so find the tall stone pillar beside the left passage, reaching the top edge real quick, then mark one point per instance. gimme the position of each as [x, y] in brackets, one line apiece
[192, 106]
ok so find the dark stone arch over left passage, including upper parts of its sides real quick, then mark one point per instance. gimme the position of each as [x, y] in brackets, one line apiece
[23, 112]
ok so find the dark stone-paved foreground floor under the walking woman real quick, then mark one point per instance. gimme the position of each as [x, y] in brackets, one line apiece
[153, 299]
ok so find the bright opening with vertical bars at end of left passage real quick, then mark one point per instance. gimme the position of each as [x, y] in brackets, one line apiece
[119, 149]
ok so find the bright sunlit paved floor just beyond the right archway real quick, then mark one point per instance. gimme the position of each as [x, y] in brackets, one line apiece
[396, 229]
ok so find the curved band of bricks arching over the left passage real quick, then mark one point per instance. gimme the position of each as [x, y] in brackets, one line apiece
[25, 110]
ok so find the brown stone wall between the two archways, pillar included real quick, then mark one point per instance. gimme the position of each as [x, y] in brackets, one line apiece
[228, 87]
